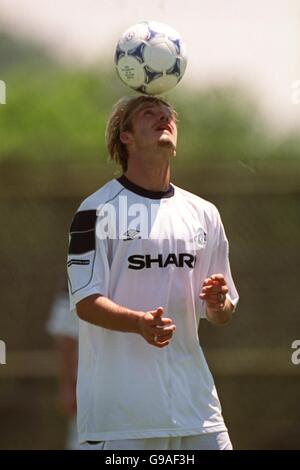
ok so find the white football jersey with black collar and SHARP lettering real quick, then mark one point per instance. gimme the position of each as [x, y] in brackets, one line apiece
[143, 250]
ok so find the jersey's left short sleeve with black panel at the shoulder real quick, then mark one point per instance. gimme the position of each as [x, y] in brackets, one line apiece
[87, 264]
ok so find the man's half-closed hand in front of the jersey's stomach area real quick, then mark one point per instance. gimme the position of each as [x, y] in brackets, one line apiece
[155, 329]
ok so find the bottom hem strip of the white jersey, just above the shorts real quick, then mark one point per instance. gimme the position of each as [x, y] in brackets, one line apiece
[115, 436]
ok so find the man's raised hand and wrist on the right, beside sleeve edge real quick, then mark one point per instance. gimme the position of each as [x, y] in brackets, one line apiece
[214, 290]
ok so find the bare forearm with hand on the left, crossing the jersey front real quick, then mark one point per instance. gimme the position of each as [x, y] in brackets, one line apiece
[103, 312]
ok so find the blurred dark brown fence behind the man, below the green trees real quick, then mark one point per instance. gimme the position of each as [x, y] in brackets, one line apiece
[251, 359]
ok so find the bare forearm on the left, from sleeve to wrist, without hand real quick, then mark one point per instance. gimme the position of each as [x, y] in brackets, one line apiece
[101, 311]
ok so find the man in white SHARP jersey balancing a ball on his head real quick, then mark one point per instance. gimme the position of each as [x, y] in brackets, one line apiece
[146, 261]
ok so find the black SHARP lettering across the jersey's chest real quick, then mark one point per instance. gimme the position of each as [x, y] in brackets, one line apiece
[147, 261]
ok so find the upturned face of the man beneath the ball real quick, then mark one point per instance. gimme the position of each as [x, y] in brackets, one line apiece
[153, 126]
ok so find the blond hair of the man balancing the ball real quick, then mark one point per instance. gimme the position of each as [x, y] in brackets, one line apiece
[120, 120]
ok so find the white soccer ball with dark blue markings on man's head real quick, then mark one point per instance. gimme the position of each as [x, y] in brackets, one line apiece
[150, 57]
